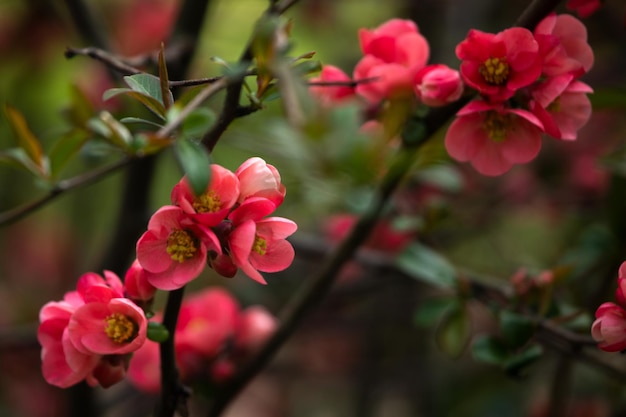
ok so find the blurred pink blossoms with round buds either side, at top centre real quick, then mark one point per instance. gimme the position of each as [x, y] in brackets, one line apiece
[393, 66]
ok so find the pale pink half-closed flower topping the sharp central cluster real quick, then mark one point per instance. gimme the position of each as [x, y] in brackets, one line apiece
[260, 179]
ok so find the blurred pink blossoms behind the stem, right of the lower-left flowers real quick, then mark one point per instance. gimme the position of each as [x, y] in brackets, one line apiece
[212, 336]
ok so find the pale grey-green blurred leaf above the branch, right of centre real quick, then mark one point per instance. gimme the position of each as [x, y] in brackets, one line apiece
[422, 263]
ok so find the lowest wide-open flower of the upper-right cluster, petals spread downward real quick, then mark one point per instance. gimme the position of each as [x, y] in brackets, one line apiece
[493, 138]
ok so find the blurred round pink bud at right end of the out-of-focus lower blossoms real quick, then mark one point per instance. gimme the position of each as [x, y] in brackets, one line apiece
[256, 325]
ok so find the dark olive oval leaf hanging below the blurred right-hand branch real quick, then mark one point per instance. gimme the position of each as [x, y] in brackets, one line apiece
[454, 331]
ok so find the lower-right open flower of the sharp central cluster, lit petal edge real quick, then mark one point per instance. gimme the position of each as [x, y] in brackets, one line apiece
[261, 246]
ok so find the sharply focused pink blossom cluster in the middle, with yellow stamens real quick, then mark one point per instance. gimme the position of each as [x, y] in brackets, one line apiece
[225, 227]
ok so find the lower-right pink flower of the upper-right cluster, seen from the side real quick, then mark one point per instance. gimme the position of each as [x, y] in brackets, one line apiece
[562, 106]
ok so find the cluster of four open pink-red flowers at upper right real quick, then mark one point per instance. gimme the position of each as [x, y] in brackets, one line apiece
[528, 85]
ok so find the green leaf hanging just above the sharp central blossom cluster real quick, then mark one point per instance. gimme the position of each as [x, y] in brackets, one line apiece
[195, 163]
